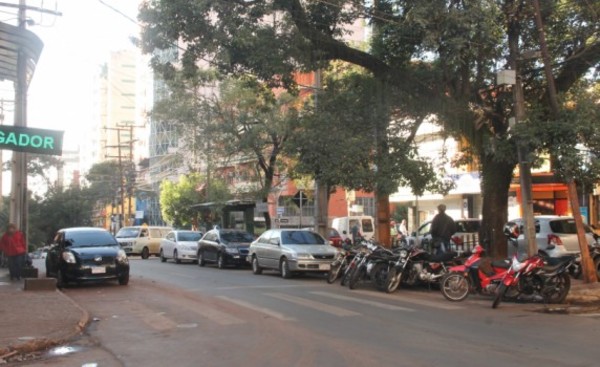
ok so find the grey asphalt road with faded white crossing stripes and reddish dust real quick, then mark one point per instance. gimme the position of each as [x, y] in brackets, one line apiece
[184, 315]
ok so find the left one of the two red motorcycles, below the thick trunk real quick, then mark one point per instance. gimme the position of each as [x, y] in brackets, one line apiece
[471, 278]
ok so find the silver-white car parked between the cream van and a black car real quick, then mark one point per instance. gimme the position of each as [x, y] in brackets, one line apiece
[180, 246]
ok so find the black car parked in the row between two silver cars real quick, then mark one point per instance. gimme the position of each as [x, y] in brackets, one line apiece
[224, 247]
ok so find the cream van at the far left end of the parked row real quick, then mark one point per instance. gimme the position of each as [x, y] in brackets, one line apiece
[142, 240]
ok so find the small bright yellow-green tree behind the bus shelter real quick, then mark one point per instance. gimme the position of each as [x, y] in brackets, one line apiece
[178, 198]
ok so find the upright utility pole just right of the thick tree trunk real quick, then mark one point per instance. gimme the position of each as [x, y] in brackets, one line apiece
[522, 151]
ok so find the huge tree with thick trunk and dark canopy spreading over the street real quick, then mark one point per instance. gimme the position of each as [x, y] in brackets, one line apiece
[439, 56]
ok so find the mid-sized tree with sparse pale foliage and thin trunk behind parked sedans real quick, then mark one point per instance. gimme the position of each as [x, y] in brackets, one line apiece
[244, 120]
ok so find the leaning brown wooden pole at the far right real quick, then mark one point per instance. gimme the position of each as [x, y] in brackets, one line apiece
[589, 271]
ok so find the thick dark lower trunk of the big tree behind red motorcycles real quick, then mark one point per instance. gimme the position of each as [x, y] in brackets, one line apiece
[495, 183]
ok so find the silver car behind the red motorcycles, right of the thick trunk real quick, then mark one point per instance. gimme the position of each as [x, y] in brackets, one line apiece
[555, 235]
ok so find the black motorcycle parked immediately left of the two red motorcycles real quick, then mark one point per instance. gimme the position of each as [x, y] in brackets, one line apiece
[415, 265]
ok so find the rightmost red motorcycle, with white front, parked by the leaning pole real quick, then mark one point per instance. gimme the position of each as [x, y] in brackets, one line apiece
[537, 278]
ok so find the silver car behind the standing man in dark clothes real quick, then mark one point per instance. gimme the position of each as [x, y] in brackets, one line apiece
[467, 230]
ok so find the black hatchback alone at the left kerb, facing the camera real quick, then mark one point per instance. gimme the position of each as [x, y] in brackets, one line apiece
[83, 254]
